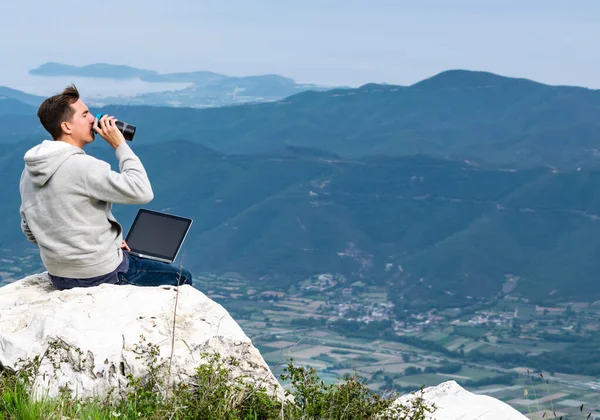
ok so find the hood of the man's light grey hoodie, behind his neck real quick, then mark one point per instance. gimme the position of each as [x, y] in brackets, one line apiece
[42, 161]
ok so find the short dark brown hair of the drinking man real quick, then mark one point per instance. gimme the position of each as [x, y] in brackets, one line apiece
[56, 109]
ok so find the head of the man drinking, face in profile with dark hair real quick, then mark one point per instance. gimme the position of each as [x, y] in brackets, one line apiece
[67, 118]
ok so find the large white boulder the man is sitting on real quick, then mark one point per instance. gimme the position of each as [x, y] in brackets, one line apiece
[106, 323]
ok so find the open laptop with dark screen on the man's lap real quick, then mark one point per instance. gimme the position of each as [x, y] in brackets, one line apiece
[157, 236]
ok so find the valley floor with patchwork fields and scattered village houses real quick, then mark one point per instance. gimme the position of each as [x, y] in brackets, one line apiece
[350, 330]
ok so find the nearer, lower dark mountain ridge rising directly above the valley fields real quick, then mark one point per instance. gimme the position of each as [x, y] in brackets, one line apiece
[434, 232]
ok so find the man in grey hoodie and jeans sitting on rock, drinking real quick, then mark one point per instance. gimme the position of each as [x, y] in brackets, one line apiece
[67, 196]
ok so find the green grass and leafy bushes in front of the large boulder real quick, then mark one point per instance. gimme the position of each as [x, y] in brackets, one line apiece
[210, 394]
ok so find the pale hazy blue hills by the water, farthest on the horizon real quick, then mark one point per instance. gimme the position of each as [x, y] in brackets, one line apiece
[206, 89]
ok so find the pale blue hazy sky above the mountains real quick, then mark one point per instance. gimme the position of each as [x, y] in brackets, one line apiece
[341, 42]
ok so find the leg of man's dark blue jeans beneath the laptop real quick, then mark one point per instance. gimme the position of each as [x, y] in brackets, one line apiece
[145, 272]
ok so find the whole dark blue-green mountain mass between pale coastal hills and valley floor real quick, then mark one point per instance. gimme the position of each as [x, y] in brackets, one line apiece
[464, 186]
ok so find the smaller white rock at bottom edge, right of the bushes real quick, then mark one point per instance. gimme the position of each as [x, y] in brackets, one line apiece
[453, 402]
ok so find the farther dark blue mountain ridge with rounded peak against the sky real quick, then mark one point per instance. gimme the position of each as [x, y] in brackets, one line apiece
[458, 115]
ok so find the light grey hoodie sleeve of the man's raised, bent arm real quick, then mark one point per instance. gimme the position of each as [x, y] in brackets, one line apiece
[130, 186]
